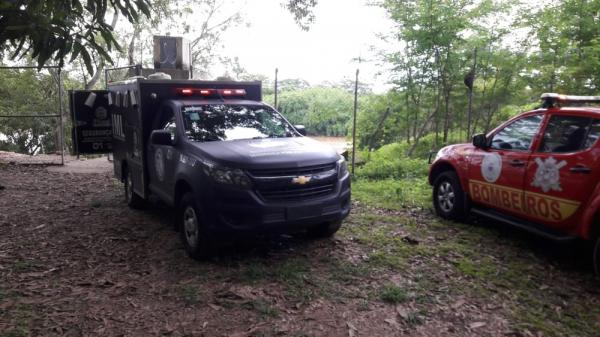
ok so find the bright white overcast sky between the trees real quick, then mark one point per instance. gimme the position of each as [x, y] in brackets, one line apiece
[343, 31]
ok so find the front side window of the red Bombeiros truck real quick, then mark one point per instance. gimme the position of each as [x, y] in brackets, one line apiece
[518, 135]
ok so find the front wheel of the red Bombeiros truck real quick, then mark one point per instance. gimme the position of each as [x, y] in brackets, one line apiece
[449, 197]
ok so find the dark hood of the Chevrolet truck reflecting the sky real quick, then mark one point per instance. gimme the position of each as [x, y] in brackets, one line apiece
[267, 153]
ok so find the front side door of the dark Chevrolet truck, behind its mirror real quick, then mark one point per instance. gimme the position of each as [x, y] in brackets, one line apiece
[162, 159]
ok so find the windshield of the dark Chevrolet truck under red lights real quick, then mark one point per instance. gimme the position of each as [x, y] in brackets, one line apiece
[214, 122]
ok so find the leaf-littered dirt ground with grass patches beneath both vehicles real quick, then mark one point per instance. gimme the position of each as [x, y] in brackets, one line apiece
[75, 261]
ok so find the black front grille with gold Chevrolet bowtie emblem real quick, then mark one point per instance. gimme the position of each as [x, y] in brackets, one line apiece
[276, 184]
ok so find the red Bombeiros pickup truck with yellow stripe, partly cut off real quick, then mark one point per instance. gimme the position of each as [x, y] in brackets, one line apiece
[539, 171]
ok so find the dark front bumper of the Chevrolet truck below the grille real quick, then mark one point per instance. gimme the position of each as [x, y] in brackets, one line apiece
[244, 211]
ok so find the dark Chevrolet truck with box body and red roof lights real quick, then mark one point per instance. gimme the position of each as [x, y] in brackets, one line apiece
[229, 163]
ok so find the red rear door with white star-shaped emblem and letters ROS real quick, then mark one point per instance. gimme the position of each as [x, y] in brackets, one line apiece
[564, 170]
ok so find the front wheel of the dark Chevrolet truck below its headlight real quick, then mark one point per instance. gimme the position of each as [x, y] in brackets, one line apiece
[200, 245]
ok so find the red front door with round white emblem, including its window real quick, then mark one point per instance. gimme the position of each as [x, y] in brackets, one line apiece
[497, 175]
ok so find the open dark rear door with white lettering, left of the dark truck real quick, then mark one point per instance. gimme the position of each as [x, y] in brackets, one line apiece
[91, 119]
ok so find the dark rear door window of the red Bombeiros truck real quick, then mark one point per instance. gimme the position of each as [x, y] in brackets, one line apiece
[565, 134]
